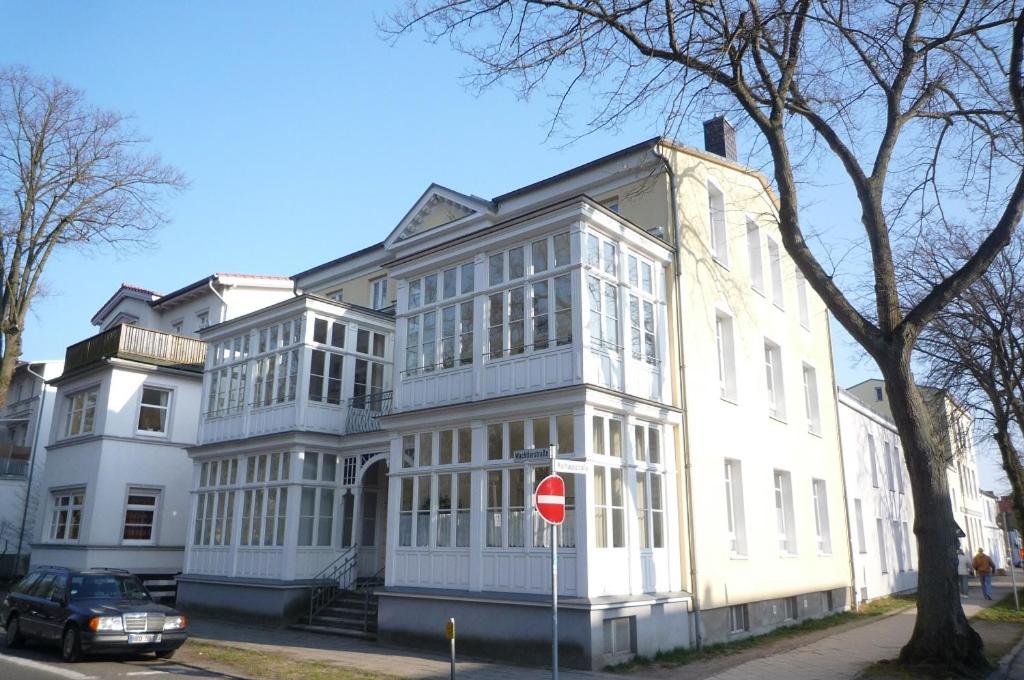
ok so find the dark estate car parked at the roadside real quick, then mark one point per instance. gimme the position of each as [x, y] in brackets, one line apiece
[91, 611]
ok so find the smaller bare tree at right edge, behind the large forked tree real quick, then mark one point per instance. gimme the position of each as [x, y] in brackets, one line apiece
[975, 347]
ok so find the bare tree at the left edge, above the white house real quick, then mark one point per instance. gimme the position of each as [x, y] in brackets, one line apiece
[70, 176]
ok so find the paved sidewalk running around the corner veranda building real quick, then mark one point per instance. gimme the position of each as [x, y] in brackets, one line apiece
[839, 657]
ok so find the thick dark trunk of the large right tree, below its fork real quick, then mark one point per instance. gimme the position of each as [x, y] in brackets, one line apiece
[942, 632]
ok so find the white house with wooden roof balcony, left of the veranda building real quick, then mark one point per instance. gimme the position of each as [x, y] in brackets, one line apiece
[116, 487]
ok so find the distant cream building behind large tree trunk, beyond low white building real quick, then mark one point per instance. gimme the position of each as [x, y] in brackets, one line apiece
[956, 429]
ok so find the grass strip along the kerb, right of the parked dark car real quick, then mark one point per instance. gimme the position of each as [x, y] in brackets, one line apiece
[254, 664]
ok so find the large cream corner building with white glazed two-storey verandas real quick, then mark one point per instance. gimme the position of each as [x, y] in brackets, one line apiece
[631, 312]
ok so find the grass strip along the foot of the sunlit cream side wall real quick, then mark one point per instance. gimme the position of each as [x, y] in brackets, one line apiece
[684, 656]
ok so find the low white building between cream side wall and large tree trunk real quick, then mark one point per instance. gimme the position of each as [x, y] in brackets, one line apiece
[880, 503]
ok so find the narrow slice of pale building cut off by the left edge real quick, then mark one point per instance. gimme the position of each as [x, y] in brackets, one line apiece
[24, 427]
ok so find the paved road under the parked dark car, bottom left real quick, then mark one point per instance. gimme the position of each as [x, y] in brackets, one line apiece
[37, 662]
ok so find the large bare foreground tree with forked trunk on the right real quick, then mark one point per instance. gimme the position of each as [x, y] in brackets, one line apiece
[916, 101]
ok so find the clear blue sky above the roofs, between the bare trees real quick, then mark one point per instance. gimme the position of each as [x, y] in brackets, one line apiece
[304, 136]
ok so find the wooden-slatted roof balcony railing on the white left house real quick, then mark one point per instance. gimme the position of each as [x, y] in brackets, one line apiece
[138, 345]
